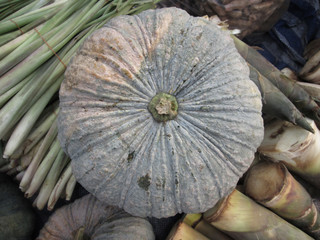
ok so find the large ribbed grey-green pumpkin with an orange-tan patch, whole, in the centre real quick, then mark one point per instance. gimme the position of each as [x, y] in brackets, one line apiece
[158, 113]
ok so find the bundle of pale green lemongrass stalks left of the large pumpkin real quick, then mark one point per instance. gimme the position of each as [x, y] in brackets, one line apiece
[37, 40]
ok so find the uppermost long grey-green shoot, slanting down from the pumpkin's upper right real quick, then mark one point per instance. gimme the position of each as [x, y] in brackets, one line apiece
[297, 95]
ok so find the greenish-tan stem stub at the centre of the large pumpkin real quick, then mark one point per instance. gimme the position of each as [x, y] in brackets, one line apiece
[163, 107]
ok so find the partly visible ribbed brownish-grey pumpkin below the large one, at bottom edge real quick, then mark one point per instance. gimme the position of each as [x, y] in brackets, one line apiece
[88, 218]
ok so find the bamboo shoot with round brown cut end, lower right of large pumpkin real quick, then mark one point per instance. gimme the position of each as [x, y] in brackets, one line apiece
[273, 186]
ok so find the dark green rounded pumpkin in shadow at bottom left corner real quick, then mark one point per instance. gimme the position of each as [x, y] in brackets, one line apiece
[17, 218]
